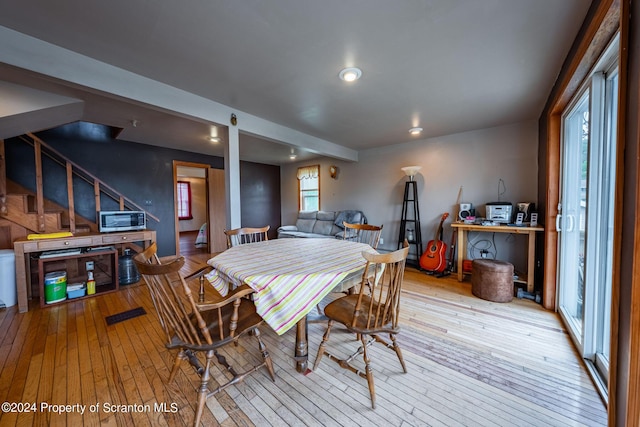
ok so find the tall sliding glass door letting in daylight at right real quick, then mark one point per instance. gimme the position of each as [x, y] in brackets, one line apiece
[585, 220]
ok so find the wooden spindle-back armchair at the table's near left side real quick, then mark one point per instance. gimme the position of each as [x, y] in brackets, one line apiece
[194, 328]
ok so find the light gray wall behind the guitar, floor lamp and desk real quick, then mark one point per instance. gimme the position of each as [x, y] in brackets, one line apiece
[475, 160]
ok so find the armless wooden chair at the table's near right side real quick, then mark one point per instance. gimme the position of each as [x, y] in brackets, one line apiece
[370, 314]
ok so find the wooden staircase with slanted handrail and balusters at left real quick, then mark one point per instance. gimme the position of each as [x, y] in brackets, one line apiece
[24, 212]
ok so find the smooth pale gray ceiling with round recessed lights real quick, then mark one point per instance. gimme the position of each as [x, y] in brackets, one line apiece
[447, 66]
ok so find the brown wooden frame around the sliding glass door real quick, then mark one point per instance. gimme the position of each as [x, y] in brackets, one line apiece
[604, 19]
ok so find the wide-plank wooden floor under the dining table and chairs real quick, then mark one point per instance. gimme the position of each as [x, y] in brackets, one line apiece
[471, 363]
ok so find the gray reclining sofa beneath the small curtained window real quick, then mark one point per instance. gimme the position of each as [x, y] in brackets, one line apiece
[327, 224]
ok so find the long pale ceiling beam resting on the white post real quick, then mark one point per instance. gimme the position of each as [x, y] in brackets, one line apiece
[32, 54]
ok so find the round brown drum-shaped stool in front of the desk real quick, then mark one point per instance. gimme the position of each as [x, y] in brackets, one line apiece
[492, 280]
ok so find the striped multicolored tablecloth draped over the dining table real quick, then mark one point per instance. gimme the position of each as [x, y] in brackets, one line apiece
[290, 276]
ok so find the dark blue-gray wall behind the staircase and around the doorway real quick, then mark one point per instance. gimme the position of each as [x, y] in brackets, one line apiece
[143, 173]
